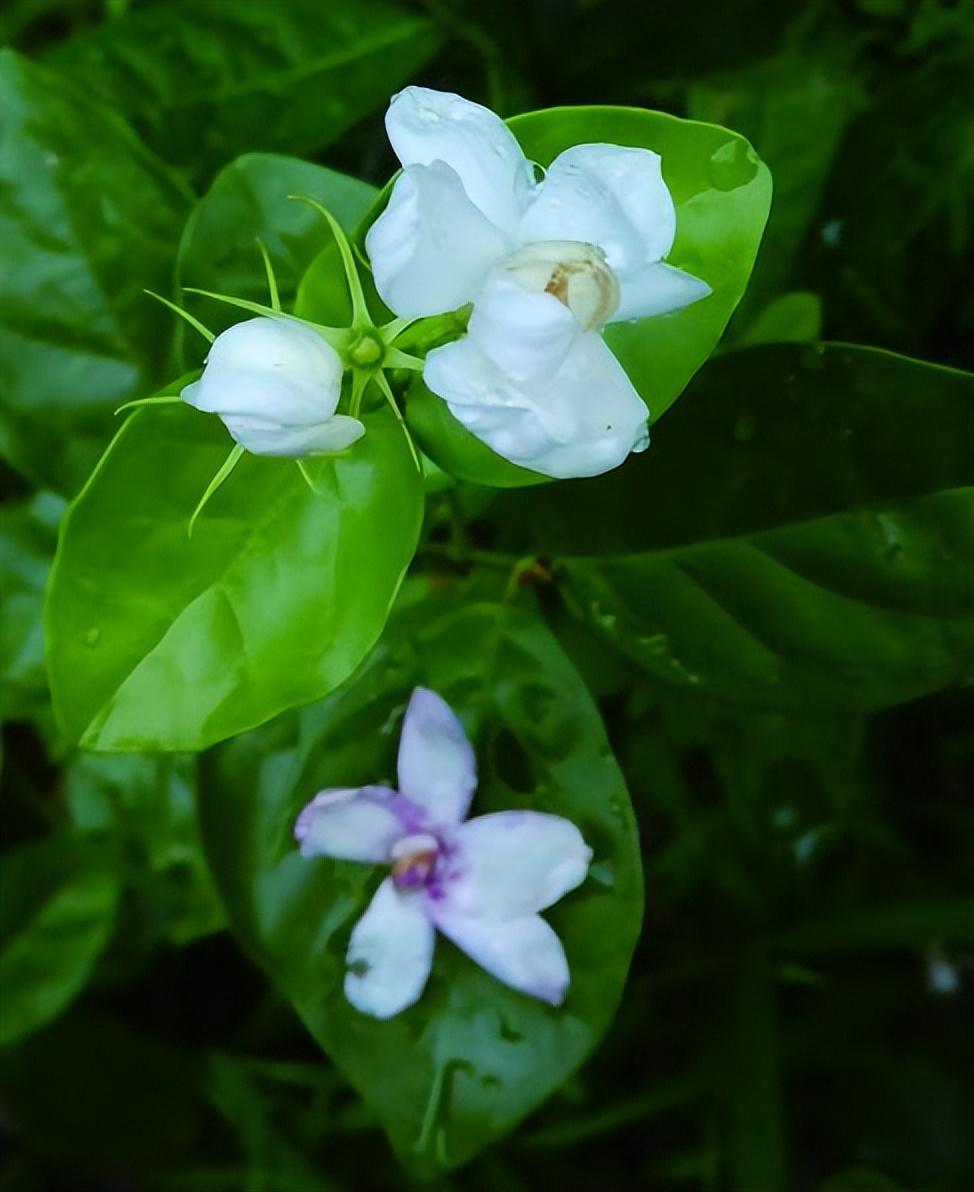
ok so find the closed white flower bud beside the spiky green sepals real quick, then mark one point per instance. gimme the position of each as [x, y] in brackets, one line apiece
[276, 386]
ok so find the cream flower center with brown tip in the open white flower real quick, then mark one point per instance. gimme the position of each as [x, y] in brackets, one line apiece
[576, 275]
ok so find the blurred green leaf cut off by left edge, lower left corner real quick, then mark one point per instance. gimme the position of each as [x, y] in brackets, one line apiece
[58, 907]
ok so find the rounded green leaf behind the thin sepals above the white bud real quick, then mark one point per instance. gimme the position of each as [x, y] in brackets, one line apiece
[250, 201]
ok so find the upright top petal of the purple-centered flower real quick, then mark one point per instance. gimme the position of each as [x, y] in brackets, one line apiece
[438, 769]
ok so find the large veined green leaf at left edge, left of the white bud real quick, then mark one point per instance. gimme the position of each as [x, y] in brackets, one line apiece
[88, 220]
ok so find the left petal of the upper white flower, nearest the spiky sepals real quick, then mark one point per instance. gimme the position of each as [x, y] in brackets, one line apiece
[431, 250]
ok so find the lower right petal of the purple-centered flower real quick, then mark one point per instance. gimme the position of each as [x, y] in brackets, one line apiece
[525, 954]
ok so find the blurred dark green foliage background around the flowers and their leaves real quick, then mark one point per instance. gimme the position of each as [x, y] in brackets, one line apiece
[799, 1011]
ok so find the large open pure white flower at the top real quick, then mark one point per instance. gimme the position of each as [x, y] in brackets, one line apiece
[545, 265]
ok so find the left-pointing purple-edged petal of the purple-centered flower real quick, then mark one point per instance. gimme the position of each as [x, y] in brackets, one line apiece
[361, 824]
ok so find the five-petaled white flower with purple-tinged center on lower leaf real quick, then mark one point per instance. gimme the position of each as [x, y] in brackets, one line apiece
[481, 883]
